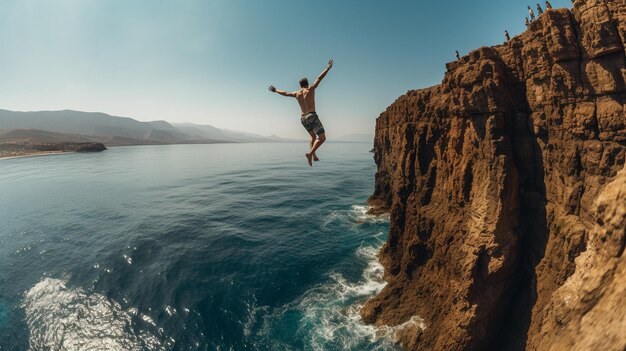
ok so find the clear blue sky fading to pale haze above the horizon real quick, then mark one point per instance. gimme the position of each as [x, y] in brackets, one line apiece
[210, 61]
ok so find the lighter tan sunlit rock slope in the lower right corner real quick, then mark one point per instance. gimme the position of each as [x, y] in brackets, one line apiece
[588, 311]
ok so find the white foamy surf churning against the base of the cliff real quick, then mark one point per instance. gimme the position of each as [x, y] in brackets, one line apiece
[330, 312]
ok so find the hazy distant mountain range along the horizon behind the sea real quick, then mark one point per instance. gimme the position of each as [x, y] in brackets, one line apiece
[77, 126]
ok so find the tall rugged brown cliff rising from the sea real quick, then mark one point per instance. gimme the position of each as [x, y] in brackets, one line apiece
[492, 178]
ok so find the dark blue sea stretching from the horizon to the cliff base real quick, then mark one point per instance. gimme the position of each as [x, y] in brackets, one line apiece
[190, 247]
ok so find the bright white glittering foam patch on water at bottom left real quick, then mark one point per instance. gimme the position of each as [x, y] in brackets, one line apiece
[62, 318]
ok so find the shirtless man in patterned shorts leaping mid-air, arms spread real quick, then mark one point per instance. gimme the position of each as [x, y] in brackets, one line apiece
[309, 119]
